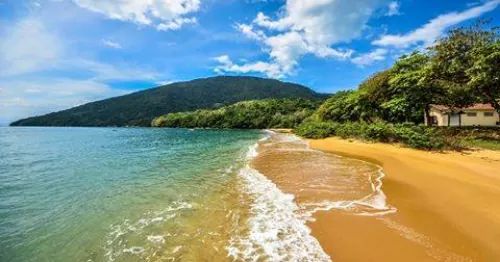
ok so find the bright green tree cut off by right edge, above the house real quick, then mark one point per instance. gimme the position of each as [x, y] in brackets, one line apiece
[485, 74]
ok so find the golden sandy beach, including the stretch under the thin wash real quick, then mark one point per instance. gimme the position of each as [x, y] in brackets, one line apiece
[447, 205]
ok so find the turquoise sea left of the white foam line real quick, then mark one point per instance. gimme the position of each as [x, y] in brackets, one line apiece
[123, 194]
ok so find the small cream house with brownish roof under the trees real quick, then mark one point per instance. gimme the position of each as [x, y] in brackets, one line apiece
[476, 115]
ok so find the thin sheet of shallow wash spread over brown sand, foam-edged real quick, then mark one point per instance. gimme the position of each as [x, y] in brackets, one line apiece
[322, 181]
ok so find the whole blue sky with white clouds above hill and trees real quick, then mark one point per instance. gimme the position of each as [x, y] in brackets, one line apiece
[56, 54]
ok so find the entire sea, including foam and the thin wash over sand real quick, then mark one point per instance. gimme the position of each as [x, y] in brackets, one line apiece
[144, 194]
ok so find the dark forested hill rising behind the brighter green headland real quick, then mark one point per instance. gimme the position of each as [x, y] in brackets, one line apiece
[138, 109]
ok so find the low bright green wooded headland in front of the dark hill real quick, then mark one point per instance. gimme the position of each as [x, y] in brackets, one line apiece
[258, 114]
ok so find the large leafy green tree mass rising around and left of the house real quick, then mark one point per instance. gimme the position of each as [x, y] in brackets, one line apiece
[460, 69]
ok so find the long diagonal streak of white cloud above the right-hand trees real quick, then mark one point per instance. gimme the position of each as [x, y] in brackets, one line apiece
[431, 31]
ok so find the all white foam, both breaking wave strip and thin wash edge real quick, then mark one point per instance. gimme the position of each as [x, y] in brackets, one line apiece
[277, 229]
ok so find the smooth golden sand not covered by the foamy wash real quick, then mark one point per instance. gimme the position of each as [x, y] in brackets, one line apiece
[448, 207]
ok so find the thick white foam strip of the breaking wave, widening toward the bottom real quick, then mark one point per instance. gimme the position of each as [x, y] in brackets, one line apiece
[276, 230]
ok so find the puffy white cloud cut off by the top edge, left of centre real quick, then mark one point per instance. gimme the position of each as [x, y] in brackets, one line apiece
[162, 14]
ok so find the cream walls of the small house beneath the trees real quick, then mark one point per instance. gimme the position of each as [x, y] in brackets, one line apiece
[479, 120]
